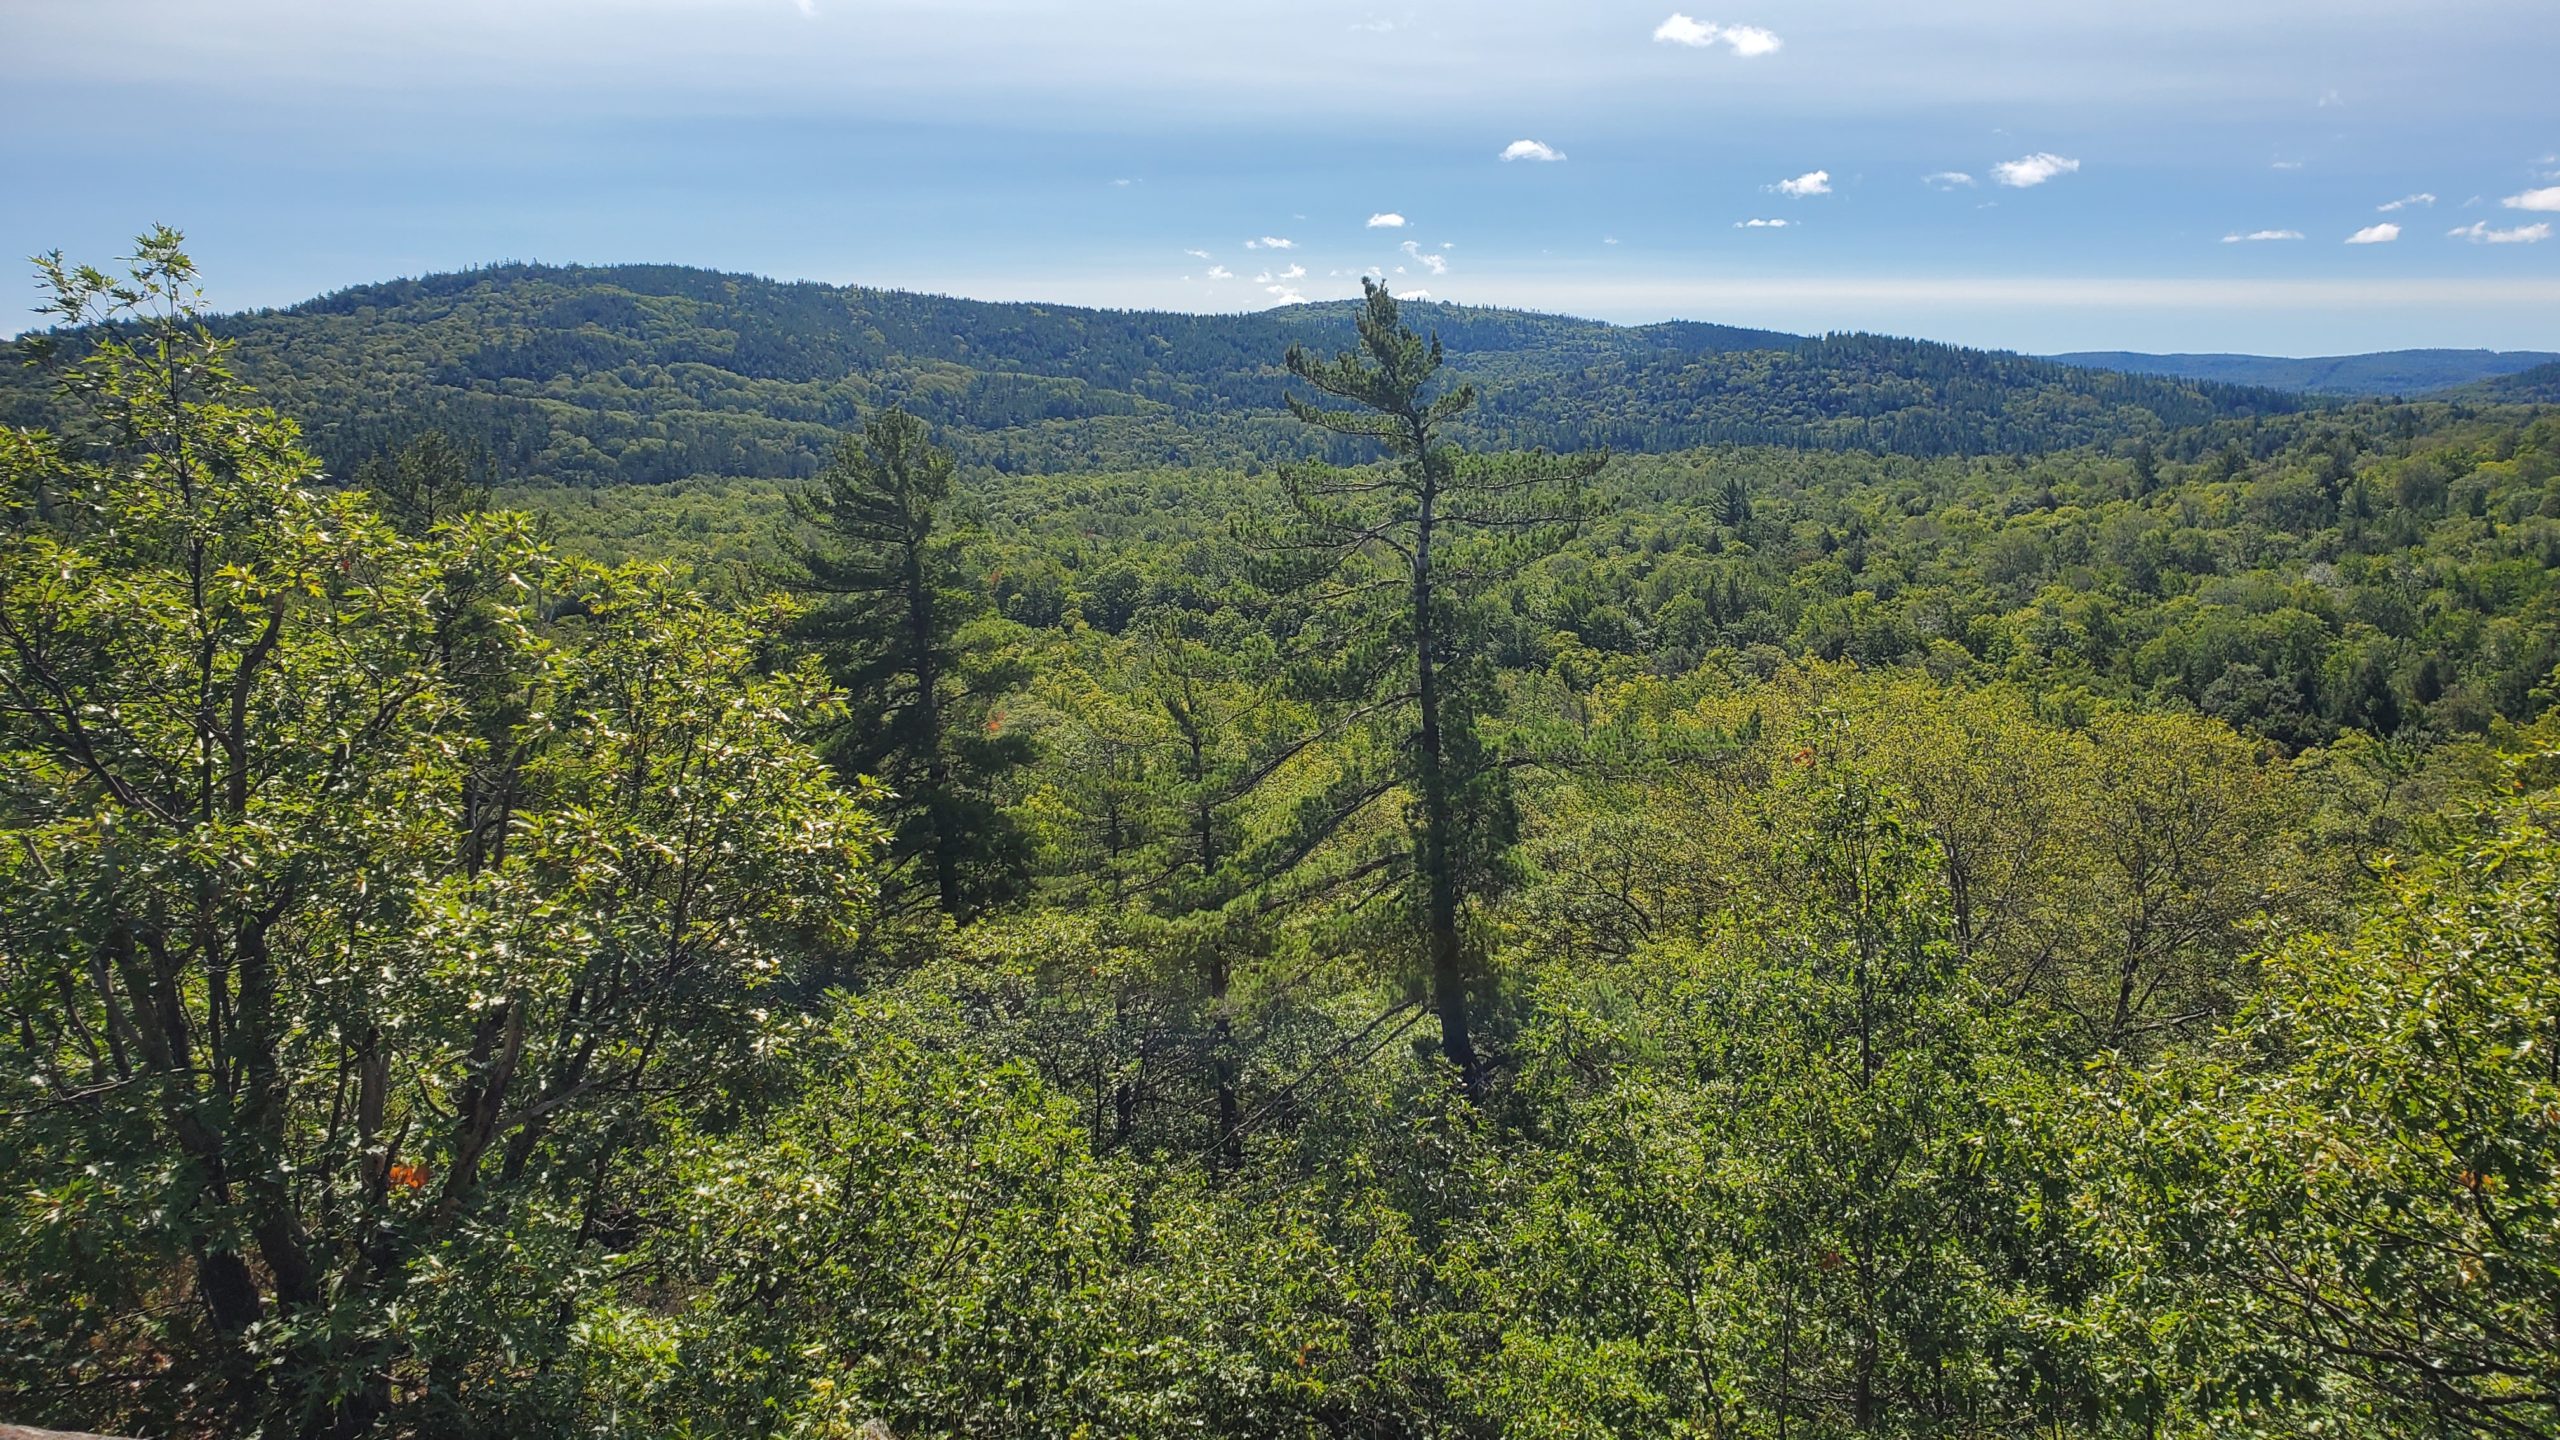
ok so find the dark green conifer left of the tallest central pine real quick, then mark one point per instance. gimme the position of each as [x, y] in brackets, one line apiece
[895, 614]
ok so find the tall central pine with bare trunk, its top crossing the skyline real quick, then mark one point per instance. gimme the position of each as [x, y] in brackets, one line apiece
[1391, 562]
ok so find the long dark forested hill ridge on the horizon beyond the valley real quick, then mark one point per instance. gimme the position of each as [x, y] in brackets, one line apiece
[595, 375]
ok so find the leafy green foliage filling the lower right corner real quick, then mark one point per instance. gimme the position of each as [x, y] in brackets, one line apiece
[2351, 1203]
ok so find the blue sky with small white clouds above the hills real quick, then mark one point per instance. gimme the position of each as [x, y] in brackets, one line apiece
[2042, 176]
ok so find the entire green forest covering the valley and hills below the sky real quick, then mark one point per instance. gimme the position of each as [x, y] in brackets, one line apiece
[1949, 908]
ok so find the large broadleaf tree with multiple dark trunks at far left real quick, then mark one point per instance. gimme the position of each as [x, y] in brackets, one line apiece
[321, 1085]
